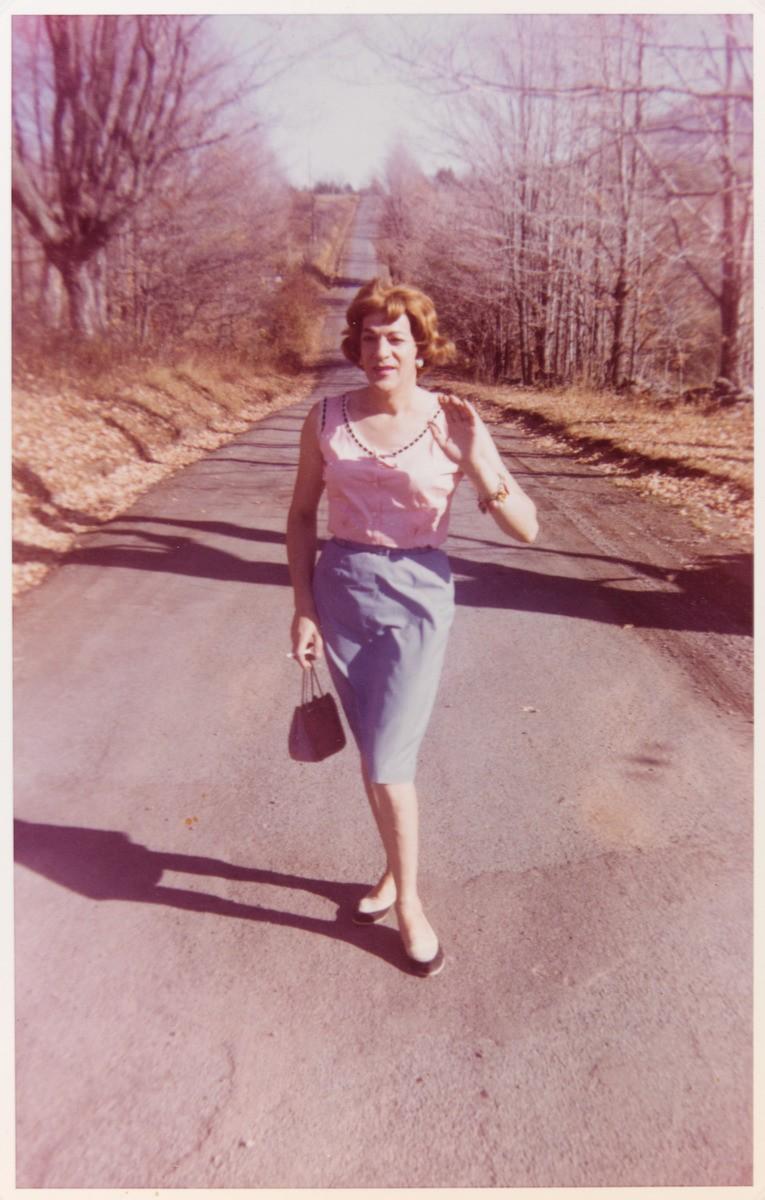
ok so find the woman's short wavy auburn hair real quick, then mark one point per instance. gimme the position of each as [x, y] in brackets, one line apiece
[394, 301]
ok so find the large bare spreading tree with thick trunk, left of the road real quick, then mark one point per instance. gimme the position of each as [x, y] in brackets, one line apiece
[104, 110]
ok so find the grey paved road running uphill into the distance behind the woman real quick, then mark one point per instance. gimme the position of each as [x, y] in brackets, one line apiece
[195, 1007]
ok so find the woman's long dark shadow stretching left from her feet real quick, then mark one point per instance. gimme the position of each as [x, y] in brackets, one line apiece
[105, 865]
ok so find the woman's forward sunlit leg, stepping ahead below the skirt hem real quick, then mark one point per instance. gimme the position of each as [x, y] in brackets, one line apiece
[397, 815]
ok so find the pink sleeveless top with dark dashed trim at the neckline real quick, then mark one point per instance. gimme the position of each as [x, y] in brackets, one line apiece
[401, 500]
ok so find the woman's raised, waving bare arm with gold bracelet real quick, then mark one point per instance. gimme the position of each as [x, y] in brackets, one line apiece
[471, 445]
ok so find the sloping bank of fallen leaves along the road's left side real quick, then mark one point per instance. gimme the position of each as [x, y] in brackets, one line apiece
[83, 454]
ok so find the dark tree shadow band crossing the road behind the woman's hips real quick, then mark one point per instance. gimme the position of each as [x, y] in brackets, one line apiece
[712, 595]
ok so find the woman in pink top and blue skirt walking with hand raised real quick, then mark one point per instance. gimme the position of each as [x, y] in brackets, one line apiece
[381, 599]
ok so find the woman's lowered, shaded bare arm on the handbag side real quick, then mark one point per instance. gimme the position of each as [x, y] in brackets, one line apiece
[302, 542]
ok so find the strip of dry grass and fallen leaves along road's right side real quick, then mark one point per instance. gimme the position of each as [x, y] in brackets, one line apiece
[700, 459]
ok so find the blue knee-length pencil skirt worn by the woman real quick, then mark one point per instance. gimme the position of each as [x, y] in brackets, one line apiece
[385, 617]
